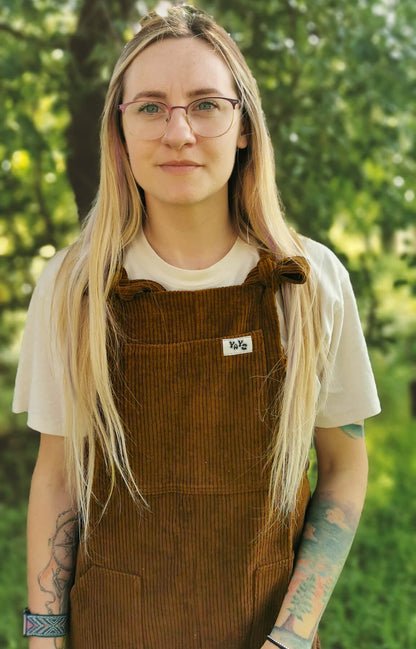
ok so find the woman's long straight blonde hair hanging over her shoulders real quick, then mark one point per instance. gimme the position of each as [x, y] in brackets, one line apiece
[91, 264]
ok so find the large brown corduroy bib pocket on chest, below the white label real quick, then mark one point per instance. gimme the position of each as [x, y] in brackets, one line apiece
[200, 420]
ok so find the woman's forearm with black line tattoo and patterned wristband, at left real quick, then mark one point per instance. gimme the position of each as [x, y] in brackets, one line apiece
[51, 550]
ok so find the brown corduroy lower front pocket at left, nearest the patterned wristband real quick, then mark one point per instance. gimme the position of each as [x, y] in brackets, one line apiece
[106, 610]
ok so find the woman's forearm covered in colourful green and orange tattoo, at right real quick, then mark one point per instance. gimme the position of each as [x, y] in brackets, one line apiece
[329, 530]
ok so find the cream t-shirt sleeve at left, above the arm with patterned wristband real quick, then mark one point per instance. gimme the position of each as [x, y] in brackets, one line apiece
[38, 386]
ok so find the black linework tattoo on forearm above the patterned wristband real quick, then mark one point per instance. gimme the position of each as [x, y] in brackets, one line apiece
[56, 578]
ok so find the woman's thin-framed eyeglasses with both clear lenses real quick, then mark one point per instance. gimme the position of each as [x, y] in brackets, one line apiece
[207, 117]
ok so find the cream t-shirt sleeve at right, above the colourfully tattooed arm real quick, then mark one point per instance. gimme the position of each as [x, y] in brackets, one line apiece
[347, 391]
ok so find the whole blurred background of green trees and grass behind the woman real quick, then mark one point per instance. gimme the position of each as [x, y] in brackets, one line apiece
[338, 81]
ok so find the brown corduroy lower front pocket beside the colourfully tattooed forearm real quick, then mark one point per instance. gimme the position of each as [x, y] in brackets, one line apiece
[270, 586]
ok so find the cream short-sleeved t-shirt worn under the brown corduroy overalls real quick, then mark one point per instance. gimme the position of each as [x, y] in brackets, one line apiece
[350, 395]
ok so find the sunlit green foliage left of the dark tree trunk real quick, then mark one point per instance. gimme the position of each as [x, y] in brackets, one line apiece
[37, 212]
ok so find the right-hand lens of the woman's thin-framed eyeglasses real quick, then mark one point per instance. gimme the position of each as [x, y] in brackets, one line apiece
[211, 116]
